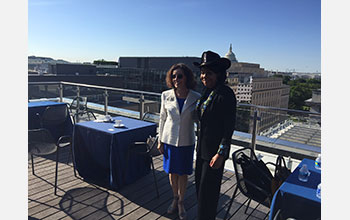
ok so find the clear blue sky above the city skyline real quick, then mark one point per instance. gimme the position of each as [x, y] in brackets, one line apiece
[277, 34]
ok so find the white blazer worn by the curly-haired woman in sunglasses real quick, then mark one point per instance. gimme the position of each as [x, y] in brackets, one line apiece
[174, 128]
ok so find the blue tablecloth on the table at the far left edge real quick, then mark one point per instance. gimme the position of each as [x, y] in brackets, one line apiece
[34, 121]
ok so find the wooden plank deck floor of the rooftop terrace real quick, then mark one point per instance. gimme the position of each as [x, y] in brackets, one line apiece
[78, 199]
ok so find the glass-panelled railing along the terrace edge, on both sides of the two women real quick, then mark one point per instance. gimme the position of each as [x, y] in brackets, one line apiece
[282, 129]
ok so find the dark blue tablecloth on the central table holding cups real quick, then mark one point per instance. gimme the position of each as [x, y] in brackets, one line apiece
[100, 151]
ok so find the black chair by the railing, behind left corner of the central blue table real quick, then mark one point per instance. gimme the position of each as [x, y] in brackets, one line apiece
[78, 108]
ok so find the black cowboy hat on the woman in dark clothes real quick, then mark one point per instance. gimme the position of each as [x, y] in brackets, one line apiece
[213, 61]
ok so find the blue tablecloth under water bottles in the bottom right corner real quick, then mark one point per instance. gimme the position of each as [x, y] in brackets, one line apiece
[297, 199]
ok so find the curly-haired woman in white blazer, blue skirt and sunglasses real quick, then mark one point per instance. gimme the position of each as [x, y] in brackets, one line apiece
[176, 131]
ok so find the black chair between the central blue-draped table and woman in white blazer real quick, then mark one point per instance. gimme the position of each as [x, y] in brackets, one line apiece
[149, 150]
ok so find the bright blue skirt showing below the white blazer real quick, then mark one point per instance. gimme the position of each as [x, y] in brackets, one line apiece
[178, 160]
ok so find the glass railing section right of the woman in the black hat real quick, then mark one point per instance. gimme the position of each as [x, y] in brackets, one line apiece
[279, 131]
